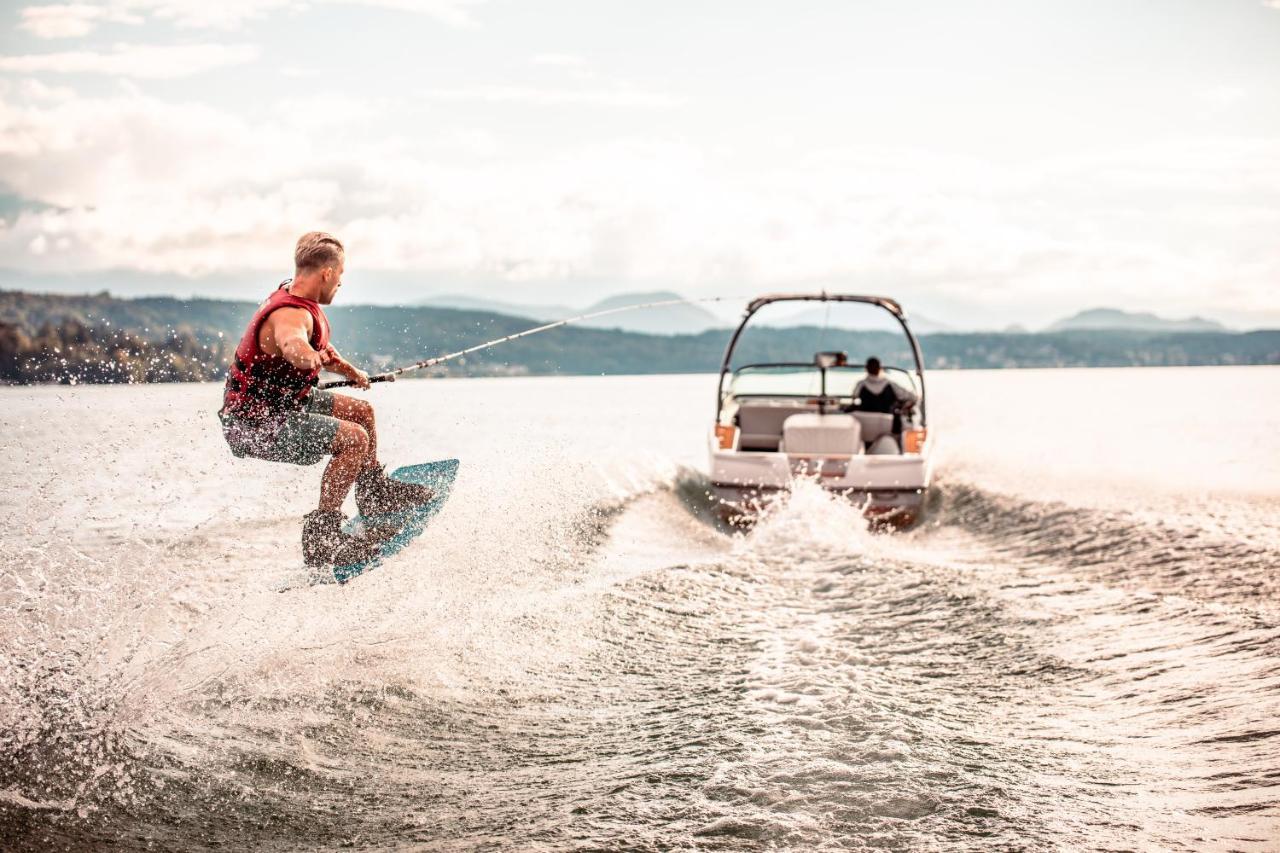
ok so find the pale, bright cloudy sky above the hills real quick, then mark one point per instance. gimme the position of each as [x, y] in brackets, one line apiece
[986, 163]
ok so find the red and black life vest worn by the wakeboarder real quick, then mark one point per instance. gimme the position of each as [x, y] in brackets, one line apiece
[260, 385]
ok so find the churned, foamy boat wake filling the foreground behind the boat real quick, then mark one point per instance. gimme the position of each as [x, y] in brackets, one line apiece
[597, 645]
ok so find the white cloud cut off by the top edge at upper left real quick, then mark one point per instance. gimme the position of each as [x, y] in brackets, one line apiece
[66, 21]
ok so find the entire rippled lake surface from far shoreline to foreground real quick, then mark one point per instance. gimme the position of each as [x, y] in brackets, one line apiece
[1080, 649]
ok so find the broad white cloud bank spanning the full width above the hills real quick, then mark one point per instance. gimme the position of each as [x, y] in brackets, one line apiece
[134, 183]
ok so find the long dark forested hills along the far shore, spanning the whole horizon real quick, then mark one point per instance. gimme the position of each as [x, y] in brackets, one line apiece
[102, 339]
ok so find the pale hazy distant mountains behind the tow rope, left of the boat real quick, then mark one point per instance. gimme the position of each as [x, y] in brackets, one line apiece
[669, 320]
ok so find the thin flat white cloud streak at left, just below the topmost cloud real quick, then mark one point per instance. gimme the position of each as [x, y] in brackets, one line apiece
[154, 62]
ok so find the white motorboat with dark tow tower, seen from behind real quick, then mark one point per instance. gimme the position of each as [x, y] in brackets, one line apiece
[778, 422]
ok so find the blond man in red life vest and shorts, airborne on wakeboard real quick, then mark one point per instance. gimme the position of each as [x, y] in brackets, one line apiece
[272, 409]
